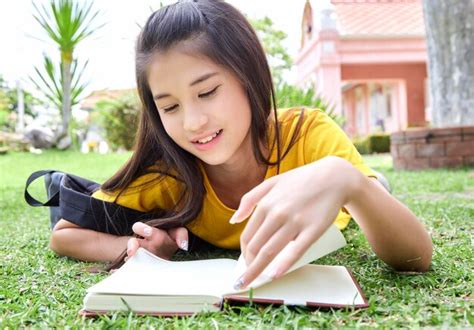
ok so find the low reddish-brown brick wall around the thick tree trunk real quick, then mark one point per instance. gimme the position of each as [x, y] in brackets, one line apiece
[422, 148]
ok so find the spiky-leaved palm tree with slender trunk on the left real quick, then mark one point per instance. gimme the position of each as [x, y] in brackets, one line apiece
[66, 23]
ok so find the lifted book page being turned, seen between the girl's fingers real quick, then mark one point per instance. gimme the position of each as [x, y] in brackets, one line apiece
[330, 241]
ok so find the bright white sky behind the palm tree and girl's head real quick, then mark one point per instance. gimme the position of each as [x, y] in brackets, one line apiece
[110, 51]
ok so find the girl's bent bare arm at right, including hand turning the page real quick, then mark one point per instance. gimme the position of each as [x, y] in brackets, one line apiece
[283, 209]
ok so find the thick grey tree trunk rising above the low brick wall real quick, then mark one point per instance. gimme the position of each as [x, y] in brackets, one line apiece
[450, 40]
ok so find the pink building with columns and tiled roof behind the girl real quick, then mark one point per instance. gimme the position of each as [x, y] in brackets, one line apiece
[367, 57]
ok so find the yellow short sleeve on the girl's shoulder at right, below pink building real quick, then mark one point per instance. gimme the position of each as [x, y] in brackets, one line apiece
[323, 137]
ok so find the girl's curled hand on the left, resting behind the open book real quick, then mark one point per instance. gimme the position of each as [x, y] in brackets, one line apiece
[163, 243]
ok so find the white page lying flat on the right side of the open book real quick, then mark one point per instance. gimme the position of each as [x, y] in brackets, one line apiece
[312, 283]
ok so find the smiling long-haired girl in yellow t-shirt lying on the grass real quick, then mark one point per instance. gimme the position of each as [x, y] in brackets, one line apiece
[214, 157]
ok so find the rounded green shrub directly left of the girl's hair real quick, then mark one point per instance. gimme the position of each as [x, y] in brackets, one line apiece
[119, 118]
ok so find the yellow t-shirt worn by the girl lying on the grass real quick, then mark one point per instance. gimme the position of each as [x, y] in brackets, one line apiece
[320, 137]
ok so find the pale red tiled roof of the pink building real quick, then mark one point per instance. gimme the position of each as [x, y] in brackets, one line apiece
[379, 18]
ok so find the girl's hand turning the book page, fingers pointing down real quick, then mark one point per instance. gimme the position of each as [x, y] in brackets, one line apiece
[298, 205]
